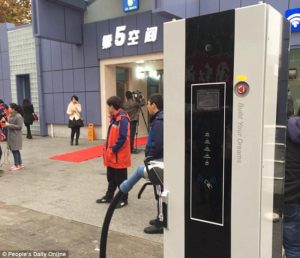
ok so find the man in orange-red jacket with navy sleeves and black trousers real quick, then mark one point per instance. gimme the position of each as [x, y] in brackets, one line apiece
[116, 151]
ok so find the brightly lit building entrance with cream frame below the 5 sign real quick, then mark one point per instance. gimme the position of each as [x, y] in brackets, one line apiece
[137, 73]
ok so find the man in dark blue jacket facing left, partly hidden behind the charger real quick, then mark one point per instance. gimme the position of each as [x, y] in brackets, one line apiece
[154, 147]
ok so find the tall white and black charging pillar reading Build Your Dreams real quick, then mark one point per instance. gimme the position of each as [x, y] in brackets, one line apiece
[225, 97]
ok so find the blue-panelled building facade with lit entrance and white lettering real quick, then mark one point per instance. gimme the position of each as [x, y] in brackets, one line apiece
[95, 49]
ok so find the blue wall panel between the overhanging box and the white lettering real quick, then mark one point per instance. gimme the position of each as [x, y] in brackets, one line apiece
[90, 45]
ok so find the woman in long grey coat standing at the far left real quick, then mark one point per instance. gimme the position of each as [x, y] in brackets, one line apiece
[14, 136]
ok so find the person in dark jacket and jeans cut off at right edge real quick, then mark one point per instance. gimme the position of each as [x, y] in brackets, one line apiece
[291, 219]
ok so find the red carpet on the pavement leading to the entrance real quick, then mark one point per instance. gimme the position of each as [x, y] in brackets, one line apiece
[90, 153]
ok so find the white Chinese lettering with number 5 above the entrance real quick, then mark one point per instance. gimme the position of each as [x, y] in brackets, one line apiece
[130, 38]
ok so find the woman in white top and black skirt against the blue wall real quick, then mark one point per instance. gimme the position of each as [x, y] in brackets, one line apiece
[75, 120]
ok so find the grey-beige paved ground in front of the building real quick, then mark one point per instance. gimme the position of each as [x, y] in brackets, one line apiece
[50, 206]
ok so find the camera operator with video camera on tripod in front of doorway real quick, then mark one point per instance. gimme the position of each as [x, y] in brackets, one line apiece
[132, 107]
